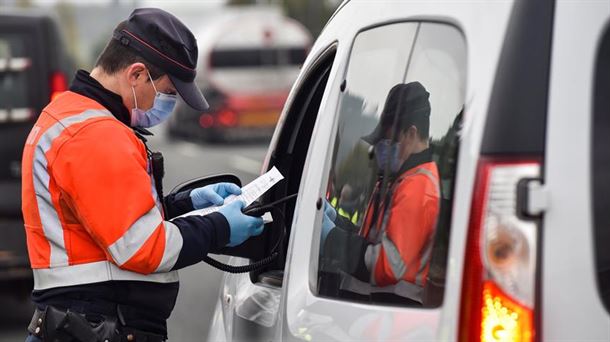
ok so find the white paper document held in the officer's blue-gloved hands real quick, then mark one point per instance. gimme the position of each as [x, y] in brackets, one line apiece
[249, 193]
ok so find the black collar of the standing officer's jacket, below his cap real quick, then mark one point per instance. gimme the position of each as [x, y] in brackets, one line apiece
[86, 85]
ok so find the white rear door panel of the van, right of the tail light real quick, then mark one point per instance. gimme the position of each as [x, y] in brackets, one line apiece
[571, 306]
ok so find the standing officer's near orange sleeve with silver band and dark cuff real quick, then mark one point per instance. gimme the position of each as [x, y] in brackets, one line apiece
[102, 173]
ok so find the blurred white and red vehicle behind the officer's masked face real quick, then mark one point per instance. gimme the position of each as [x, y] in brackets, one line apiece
[248, 62]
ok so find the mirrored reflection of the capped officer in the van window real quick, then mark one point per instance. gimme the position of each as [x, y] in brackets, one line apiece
[394, 245]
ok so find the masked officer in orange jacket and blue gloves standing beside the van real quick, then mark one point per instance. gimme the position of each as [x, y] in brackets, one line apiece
[103, 249]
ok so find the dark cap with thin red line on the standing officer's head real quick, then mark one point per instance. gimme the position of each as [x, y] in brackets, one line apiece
[166, 42]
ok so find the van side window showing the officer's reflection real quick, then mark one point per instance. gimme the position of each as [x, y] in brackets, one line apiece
[385, 229]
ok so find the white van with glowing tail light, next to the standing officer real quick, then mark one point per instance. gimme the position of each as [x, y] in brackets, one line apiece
[520, 247]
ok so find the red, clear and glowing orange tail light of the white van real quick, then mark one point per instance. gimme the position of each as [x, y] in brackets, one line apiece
[498, 290]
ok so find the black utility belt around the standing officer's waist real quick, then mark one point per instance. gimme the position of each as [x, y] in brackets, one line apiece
[56, 325]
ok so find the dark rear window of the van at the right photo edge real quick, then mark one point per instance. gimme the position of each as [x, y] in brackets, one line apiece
[601, 169]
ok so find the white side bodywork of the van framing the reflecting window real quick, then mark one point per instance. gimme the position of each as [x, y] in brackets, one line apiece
[308, 316]
